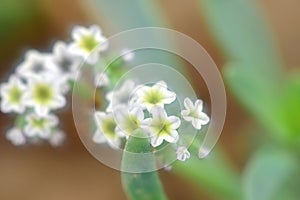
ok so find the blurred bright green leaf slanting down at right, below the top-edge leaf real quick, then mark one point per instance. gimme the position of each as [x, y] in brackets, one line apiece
[259, 95]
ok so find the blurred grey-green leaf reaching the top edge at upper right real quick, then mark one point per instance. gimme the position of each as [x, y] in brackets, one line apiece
[242, 32]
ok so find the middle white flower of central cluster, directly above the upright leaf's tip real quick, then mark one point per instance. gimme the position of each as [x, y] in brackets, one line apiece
[128, 120]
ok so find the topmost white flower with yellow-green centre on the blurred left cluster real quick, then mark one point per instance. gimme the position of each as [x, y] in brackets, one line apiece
[88, 42]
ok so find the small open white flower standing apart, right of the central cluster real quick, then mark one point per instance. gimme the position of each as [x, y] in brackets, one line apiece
[194, 114]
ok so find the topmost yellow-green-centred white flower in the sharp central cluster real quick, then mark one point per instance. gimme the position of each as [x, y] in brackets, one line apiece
[157, 95]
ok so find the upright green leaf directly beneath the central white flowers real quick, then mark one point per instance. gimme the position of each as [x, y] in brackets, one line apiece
[146, 186]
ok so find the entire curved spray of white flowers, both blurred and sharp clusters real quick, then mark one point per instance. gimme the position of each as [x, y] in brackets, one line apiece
[39, 86]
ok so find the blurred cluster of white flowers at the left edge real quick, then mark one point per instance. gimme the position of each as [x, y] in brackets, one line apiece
[40, 83]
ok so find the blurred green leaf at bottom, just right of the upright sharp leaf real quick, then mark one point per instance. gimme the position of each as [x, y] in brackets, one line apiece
[214, 174]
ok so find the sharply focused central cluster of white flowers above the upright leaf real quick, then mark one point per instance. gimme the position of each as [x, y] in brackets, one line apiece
[145, 108]
